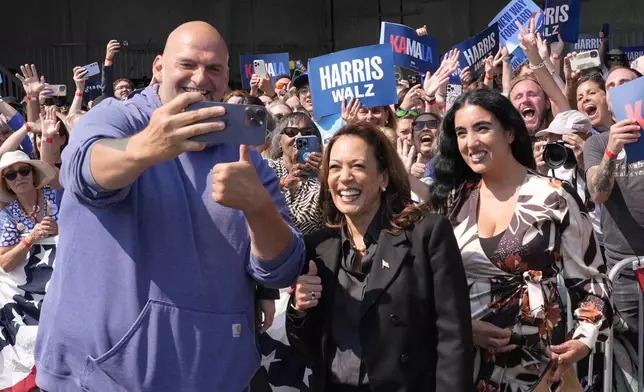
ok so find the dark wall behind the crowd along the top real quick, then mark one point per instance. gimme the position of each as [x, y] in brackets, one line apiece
[57, 35]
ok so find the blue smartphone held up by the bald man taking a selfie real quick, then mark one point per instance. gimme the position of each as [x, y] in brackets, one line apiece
[245, 124]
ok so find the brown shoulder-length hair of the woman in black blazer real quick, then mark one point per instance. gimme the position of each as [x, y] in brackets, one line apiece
[398, 210]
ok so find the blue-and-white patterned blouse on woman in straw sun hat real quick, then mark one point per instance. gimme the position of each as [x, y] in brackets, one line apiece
[15, 224]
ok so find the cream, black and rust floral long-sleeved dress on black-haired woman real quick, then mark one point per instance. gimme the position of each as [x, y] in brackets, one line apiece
[516, 286]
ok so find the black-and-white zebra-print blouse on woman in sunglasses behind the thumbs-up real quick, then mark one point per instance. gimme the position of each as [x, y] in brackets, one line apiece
[304, 202]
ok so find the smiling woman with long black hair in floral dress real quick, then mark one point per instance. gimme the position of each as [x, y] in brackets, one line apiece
[517, 231]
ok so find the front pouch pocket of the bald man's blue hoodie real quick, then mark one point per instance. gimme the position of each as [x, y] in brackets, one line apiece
[173, 348]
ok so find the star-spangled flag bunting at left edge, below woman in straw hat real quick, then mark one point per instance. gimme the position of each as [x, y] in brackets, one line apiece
[22, 291]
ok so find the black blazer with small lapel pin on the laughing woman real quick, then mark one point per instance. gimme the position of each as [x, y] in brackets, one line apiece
[415, 327]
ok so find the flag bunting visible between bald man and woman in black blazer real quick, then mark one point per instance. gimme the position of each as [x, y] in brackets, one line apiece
[282, 366]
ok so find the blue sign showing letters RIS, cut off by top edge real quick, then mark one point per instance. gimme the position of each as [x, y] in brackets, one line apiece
[562, 17]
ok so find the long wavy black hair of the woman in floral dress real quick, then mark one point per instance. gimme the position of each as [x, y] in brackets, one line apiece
[450, 170]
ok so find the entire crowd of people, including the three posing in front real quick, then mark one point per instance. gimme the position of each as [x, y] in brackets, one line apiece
[421, 249]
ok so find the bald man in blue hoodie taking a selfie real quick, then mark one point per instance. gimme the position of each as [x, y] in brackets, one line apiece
[162, 239]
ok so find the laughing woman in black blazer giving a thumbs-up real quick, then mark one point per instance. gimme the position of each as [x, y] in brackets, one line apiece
[384, 305]
